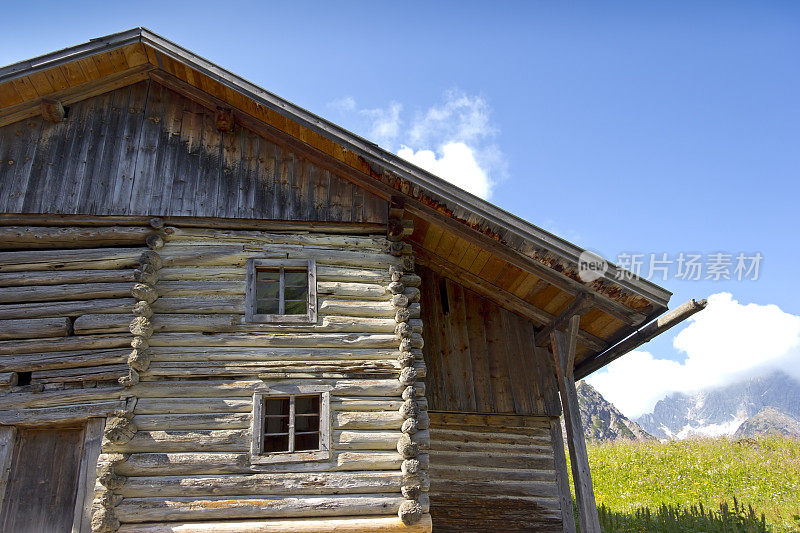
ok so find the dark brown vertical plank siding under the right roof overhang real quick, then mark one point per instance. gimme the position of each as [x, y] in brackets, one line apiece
[479, 356]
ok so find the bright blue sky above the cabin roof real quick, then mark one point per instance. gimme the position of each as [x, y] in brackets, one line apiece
[622, 126]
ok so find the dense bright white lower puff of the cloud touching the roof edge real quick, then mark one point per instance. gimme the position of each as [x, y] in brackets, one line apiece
[455, 163]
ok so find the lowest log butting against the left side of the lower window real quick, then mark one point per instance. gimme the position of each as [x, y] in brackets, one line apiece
[167, 441]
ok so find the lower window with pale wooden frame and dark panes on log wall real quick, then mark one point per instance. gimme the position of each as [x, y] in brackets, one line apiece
[291, 423]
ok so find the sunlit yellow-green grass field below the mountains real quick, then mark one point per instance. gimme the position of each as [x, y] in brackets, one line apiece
[763, 473]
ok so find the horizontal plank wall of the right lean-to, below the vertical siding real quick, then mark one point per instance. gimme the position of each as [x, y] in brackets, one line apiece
[492, 473]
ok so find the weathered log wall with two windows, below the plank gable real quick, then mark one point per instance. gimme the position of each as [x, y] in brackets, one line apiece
[153, 336]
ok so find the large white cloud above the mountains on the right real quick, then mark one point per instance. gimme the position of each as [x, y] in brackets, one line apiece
[725, 342]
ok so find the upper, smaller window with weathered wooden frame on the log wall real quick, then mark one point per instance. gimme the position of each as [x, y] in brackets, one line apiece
[281, 291]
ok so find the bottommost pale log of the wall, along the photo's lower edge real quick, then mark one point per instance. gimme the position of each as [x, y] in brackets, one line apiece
[388, 524]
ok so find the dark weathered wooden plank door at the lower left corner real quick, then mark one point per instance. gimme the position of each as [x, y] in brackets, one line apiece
[43, 481]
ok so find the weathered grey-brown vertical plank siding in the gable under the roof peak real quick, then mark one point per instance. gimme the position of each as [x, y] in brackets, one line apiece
[147, 150]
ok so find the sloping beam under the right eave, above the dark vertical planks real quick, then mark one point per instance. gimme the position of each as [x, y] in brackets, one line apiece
[500, 296]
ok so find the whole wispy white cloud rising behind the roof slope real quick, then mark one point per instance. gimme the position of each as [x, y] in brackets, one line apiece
[451, 140]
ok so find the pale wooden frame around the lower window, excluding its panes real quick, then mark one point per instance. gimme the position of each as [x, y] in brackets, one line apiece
[257, 456]
